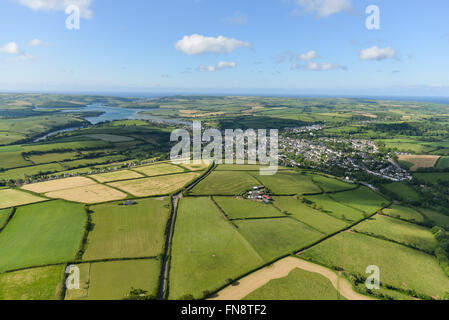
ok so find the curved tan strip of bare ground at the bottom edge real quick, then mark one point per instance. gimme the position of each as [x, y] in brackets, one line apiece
[281, 269]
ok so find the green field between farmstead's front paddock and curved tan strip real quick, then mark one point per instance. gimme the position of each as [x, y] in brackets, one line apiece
[273, 238]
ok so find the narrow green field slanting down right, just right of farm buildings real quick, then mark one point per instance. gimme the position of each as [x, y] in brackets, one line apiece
[316, 219]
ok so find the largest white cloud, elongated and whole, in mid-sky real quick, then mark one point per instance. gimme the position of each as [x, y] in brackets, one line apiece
[197, 44]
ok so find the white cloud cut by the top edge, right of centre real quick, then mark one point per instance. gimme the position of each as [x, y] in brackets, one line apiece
[323, 8]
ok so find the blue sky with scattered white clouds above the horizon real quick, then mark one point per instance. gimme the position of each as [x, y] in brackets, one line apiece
[291, 47]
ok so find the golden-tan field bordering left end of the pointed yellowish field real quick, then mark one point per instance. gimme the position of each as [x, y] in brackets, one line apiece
[95, 193]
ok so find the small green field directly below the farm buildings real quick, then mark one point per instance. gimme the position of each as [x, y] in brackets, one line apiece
[238, 208]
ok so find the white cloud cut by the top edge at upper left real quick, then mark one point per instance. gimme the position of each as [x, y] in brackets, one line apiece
[59, 5]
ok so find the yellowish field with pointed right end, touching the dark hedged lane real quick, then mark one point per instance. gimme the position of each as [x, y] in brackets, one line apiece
[156, 185]
